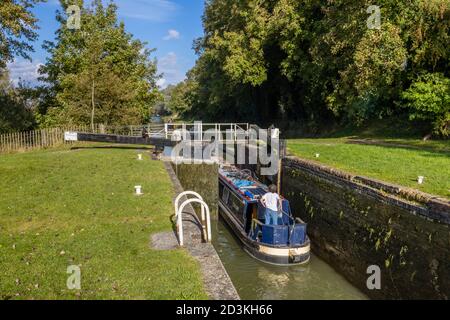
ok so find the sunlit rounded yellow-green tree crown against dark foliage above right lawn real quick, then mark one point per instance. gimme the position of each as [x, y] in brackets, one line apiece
[371, 79]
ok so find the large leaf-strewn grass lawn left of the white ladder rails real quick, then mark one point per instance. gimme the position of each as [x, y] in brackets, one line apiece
[62, 208]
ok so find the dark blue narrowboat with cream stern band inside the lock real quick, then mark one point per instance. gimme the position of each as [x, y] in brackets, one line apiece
[240, 206]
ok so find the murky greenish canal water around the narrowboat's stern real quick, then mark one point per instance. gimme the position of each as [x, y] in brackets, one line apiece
[256, 280]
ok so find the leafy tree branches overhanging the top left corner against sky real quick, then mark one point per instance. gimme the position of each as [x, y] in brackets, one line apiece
[17, 29]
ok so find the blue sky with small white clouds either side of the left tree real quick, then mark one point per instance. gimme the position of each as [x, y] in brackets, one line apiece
[169, 26]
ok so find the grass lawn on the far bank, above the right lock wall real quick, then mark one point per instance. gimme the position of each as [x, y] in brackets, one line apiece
[398, 161]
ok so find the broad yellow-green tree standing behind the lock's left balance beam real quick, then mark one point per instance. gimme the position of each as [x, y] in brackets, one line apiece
[98, 73]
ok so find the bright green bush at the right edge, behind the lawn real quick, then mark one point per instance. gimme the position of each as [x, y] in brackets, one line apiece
[428, 98]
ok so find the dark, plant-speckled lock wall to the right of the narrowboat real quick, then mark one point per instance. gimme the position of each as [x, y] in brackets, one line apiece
[355, 222]
